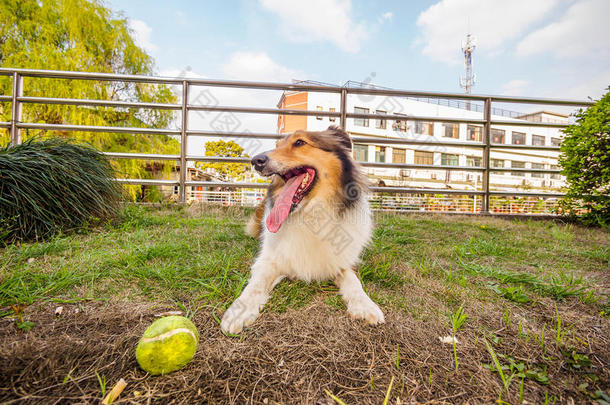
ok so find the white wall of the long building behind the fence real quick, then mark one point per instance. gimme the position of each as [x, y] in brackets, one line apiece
[431, 178]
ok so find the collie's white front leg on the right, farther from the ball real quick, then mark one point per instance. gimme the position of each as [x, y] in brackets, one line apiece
[359, 305]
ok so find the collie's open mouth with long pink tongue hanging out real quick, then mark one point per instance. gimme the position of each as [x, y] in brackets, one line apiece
[298, 183]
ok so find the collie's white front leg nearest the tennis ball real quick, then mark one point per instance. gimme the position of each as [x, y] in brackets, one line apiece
[244, 310]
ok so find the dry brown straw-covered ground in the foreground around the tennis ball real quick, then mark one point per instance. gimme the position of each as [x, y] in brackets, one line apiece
[287, 358]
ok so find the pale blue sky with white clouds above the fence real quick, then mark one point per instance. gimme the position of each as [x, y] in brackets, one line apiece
[544, 48]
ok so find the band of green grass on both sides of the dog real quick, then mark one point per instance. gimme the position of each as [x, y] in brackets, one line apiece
[180, 254]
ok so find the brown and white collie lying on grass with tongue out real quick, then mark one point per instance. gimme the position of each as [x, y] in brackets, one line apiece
[312, 225]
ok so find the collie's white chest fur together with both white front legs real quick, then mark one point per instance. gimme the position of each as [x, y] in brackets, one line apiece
[313, 244]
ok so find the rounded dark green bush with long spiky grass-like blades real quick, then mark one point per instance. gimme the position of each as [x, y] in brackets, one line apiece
[51, 186]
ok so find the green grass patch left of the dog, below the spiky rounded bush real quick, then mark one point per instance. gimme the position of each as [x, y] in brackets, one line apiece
[152, 259]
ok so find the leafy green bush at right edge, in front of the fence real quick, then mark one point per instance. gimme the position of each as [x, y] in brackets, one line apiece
[585, 161]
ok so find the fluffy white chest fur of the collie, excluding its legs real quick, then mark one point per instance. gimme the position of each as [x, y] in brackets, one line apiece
[316, 244]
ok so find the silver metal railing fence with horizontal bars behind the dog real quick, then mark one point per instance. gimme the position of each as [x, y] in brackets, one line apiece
[17, 99]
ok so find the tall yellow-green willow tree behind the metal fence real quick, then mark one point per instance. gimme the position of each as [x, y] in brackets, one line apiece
[83, 35]
